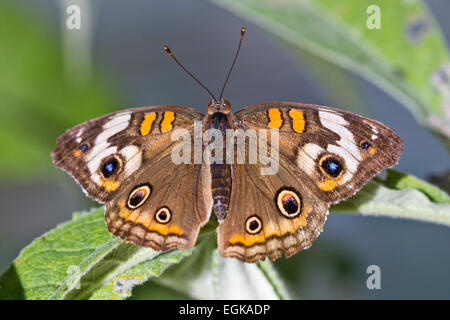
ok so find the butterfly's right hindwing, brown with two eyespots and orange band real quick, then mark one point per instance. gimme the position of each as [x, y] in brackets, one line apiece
[269, 215]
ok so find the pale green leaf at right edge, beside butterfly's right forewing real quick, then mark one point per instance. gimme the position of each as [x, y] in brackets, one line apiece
[401, 196]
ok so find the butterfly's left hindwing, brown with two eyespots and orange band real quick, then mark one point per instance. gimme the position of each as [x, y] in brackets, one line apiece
[164, 208]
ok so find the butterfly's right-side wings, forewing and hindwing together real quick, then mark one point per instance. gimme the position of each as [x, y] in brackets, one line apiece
[325, 156]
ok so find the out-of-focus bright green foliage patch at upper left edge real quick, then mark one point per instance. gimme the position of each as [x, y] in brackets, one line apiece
[38, 100]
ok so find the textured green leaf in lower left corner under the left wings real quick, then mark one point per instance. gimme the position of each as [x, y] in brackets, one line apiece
[81, 260]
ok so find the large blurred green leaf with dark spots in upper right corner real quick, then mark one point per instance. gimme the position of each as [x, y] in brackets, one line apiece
[407, 58]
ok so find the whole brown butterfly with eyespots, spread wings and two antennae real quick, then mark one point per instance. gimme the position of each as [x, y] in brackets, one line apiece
[125, 160]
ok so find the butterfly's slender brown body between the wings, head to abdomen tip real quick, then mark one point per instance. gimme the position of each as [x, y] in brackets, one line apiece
[219, 118]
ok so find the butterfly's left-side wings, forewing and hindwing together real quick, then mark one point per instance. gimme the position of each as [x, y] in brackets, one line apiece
[124, 159]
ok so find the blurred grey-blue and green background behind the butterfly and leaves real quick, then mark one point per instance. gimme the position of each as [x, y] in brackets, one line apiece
[53, 78]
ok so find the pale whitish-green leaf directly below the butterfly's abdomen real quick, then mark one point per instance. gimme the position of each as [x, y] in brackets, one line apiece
[207, 275]
